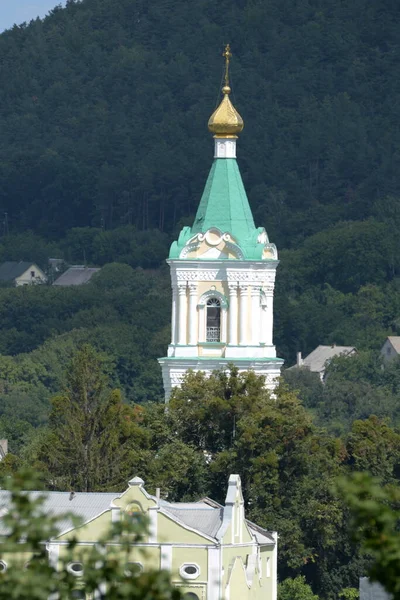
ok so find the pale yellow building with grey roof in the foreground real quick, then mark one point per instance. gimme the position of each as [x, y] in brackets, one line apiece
[210, 550]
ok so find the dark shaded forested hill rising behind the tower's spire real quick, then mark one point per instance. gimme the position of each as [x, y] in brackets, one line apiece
[104, 108]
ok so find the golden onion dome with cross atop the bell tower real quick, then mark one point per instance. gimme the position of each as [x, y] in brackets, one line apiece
[225, 120]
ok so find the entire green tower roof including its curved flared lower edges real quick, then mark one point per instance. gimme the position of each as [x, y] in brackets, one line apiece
[224, 206]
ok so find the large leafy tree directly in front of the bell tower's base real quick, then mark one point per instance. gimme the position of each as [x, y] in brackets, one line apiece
[232, 420]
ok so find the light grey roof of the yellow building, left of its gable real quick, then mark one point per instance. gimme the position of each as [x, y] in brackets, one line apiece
[83, 505]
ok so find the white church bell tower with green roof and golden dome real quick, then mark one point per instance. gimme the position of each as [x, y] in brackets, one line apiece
[222, 272]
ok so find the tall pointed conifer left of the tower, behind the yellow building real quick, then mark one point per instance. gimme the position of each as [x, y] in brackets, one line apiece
[93, 436]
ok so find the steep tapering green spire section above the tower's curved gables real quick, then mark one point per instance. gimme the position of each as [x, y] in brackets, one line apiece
[224, 202]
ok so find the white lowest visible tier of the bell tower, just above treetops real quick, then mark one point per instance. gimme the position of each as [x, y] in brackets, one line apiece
[174, 369]
